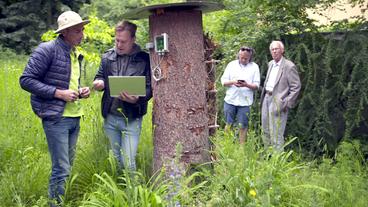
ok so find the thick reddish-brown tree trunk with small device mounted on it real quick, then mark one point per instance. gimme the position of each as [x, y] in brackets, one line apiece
[179, 110]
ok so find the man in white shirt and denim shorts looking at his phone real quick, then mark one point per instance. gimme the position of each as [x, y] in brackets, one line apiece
[242, 77]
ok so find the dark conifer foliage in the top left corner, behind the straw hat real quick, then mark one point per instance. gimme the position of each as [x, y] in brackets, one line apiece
[23, 22]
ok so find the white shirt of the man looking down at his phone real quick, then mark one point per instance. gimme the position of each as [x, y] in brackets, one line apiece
[240, 96]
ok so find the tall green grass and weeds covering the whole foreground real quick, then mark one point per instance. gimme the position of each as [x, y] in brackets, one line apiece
[240, 176]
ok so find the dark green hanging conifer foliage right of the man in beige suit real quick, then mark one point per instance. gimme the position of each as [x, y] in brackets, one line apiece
[333, 102]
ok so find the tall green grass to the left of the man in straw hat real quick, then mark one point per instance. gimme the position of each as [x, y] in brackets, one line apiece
[22, 143]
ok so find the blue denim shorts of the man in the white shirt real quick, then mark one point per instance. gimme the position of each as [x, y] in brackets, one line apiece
[240, 113]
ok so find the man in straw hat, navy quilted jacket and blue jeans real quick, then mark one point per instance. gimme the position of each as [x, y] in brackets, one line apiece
[52, 76]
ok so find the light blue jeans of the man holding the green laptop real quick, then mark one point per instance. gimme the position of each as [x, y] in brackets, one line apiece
[124, 137]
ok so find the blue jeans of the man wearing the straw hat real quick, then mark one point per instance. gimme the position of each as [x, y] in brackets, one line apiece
[61, 138]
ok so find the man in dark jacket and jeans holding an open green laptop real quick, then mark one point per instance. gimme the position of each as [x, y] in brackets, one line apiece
[123, 111]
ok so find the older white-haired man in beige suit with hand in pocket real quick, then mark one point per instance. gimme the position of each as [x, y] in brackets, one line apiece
[279, 95]
